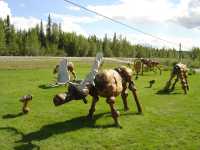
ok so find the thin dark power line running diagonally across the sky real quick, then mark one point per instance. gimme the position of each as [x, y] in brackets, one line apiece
[121, 23]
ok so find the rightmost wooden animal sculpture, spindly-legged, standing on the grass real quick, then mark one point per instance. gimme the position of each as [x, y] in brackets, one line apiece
[180, 72]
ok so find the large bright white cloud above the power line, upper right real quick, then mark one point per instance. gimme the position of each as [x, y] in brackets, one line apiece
[185, 13]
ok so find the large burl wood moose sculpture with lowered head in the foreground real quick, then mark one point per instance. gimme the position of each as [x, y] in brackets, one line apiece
[106, 83]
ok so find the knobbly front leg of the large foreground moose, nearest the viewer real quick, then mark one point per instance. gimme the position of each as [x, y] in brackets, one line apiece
[114, 112]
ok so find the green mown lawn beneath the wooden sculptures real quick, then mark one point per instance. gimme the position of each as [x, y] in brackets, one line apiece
[169, 122]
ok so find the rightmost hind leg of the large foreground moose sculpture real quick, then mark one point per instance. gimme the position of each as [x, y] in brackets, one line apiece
[133, 90]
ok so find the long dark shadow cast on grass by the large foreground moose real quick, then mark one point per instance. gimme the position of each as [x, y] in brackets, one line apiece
[57, 128]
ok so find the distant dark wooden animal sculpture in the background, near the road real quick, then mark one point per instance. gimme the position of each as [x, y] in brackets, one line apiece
[151, 64]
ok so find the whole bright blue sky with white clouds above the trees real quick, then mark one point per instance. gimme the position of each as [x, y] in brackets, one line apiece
[173, 20]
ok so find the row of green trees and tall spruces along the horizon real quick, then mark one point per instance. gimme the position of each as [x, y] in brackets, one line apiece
[53, 41]
